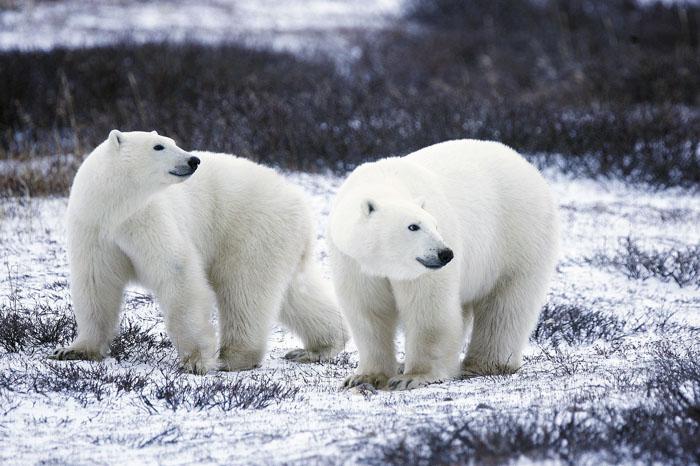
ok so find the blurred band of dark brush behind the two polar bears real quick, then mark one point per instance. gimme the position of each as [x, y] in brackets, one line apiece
[611, 86]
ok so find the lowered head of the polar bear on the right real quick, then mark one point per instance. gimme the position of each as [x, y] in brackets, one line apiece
[396, 239]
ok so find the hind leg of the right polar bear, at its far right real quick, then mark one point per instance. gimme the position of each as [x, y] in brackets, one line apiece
[503, 322]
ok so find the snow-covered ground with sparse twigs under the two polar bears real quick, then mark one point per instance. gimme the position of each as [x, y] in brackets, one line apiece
[126, 411]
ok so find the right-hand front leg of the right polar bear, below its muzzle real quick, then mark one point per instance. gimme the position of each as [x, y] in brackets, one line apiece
[432, 317]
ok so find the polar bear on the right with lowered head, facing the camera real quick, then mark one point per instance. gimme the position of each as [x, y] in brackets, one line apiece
[459, 235]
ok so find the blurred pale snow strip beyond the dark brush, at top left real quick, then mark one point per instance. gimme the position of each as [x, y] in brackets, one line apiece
[281, 24]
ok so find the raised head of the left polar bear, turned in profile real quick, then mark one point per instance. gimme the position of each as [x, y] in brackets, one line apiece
[148, 159]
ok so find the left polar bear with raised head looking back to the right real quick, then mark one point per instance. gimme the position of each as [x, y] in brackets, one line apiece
[224, 232]
